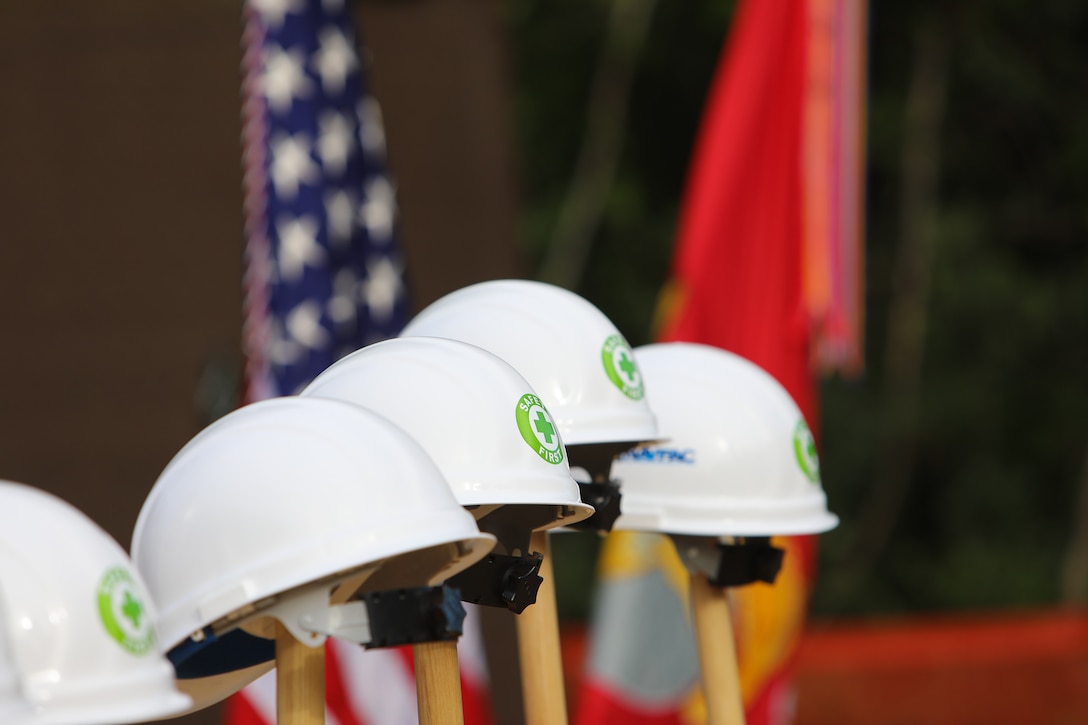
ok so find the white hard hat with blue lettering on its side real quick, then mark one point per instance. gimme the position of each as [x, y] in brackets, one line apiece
[737, 458]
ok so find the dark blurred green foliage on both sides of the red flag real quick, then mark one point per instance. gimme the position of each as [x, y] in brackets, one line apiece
[1003, 429]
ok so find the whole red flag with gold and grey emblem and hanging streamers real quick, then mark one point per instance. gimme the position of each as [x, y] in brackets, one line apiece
[765, 266]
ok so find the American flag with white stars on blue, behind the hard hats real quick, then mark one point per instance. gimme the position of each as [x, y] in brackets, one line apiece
[324, 277]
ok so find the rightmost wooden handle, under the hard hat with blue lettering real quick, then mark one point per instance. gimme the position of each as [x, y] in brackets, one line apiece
[718, 653]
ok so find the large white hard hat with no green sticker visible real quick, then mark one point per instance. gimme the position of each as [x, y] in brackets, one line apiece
[273, 508]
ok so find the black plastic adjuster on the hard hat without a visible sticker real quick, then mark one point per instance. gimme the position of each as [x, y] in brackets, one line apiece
[407, 617]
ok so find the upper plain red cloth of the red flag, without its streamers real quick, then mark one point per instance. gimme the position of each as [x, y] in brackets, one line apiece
[737, 267]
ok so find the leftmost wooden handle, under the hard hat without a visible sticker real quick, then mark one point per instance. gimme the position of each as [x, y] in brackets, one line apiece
[300, 681]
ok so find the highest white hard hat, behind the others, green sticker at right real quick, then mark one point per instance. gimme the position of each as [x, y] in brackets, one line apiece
[571, 353]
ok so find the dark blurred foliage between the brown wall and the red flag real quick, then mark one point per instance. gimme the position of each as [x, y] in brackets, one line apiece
[558, 47]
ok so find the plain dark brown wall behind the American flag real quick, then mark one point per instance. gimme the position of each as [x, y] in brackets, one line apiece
[121, 237]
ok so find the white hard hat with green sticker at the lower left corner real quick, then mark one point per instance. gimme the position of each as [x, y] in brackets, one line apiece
[78, 620]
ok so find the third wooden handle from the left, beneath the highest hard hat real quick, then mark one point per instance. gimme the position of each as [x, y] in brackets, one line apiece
[539, 653]
